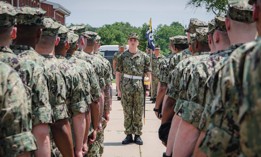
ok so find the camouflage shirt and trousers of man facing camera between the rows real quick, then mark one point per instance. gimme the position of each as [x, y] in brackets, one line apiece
[132, 89]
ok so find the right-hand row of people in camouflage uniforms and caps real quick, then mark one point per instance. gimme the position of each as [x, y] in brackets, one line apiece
[209, 91]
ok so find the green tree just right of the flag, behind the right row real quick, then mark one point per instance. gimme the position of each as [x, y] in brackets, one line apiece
[163, 32]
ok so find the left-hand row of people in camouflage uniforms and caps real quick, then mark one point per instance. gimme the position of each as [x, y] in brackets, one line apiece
[55, 95]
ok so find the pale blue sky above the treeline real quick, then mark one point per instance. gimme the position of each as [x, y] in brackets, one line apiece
[136, 12]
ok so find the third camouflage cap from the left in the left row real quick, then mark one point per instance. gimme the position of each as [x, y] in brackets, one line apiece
[51, 27]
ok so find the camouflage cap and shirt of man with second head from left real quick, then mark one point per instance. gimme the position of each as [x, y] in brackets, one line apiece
[55, 83]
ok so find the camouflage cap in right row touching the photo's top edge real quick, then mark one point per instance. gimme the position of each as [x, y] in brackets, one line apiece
[240, 10]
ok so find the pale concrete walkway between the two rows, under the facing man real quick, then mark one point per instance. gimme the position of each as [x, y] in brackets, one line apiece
[114, 134]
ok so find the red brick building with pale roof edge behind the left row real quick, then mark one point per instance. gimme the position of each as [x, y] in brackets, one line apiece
[53, 10]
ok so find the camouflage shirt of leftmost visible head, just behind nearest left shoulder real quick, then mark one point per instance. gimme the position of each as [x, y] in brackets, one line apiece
[35, 82]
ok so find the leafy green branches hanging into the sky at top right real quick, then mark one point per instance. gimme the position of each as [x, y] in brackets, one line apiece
[216, 6]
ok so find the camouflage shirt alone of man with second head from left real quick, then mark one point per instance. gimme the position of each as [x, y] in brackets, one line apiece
[55, 83]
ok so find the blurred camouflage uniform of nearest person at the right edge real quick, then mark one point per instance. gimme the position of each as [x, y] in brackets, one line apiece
[249, 111]
